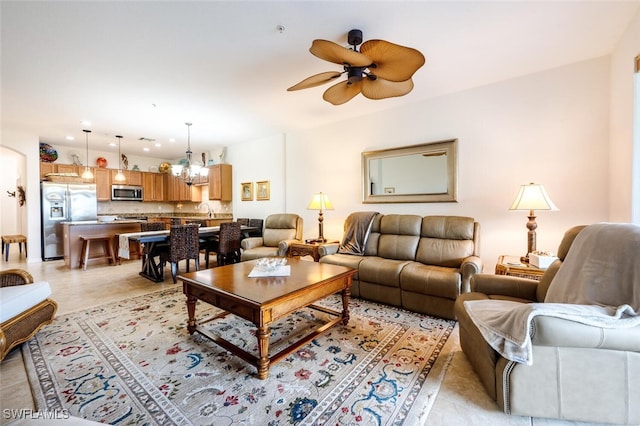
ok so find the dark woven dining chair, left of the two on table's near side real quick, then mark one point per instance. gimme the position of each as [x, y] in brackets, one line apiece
[184, 244]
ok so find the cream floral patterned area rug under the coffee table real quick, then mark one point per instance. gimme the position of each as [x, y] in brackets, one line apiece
[133, 362]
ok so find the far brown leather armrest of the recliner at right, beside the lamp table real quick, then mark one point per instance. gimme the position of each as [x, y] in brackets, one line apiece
[506, 286]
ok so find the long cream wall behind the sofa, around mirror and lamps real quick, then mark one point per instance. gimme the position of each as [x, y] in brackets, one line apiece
[549, 128]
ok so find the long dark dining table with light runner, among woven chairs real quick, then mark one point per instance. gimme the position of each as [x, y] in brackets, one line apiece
[151, 241]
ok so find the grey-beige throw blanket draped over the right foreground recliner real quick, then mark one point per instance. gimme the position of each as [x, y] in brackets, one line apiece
[598, 284]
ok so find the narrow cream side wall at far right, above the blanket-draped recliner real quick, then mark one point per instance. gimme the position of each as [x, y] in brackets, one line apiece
[621, 203]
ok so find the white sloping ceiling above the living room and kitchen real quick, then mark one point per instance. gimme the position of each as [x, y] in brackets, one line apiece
[143, 69]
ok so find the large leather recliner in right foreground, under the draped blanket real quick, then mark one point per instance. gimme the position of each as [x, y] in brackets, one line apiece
[579, 372]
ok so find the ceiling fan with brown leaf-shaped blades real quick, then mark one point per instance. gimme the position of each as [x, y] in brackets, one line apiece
[380, 69]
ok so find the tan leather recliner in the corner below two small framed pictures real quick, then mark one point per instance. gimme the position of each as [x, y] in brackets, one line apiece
[280, 230]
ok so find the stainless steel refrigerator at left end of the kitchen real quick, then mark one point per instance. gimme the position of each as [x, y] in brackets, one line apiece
[64, 202]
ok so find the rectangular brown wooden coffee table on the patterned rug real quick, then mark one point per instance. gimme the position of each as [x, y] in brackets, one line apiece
[265, 300]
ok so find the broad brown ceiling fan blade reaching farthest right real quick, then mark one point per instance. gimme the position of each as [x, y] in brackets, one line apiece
[393, 62]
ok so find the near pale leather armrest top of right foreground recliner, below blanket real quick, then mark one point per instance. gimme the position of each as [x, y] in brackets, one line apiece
[552, 331]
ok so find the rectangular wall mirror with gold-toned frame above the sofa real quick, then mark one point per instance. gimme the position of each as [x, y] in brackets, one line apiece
[425, 173]
